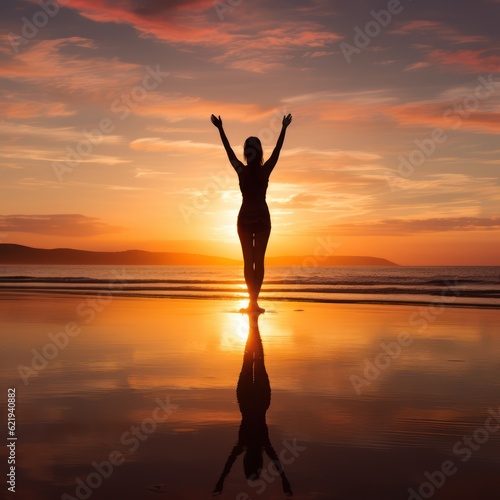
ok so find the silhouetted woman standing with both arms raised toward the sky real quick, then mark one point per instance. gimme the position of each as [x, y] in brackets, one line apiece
[254, 220]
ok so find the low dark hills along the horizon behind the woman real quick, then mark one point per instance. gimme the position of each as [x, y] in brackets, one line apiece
[19, 254]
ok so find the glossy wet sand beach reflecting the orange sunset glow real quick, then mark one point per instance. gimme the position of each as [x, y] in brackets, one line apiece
[136, 398]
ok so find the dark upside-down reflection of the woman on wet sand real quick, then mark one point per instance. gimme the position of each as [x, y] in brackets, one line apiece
[254, 397]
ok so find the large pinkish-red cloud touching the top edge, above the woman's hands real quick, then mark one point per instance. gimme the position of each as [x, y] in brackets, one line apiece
[255, 45]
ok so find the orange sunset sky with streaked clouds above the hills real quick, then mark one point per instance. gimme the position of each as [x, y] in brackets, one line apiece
[393, 152]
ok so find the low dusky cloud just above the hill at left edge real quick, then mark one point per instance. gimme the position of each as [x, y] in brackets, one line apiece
[72, 225]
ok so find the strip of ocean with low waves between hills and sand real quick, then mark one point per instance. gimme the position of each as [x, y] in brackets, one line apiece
[448, 286]
